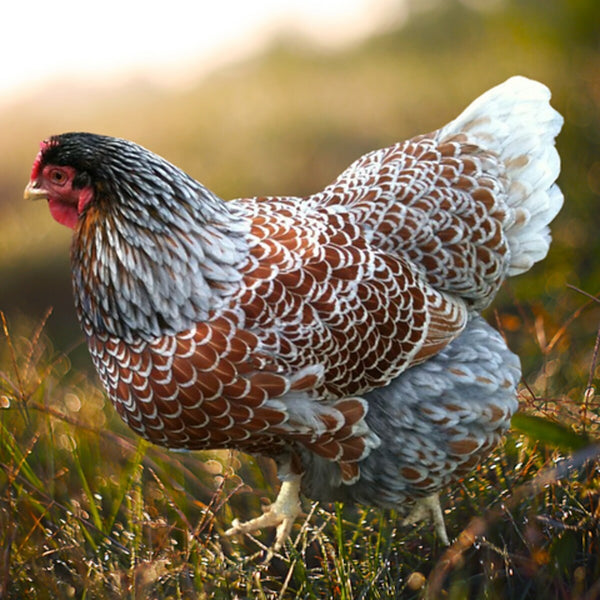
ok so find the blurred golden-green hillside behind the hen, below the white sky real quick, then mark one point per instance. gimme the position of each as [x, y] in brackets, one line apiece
[288, 121]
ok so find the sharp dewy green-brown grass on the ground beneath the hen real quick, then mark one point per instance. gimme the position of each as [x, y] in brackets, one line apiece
[87, 510]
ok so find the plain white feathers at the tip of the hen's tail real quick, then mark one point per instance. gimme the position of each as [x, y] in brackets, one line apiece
[515, 121]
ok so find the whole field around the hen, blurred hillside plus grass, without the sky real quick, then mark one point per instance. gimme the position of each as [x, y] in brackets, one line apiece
[87, 510]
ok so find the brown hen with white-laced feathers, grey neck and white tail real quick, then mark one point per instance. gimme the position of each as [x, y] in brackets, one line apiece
[338, 333]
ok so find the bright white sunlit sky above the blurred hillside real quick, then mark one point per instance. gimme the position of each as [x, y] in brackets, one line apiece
[168, 41]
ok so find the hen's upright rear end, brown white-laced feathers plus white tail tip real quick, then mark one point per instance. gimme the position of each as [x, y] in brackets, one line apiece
[467, 204]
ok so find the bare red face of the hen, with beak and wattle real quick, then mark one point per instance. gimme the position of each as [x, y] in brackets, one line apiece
[55, 184]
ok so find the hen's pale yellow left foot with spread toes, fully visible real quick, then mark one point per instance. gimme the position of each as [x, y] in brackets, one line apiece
[281, 514]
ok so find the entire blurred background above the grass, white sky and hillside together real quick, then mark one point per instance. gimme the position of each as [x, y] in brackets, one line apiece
[270, 97]
